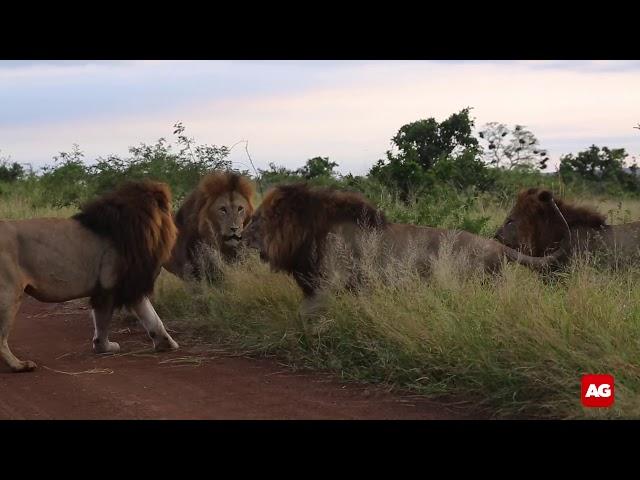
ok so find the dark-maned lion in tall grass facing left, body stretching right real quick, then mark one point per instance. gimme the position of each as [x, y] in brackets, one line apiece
[292, 227]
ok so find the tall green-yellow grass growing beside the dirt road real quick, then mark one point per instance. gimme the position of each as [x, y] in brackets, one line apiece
[514, 345]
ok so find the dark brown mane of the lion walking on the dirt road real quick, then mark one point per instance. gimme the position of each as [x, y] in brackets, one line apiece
[137, 218]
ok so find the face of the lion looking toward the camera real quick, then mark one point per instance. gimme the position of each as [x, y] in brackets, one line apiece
[229, 214]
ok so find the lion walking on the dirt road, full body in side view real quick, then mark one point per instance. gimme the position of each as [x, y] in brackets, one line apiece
[111, 251]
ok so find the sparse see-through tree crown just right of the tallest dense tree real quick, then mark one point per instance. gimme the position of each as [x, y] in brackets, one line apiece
[511, 149]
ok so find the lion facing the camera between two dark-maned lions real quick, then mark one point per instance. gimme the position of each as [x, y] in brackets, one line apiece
[212, 216]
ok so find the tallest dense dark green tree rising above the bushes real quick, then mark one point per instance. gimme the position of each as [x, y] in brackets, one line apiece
[421, 145]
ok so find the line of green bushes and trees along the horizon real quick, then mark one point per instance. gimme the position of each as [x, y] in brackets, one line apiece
[428, 159]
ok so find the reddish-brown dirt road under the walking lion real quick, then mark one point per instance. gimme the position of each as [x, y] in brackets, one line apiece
[192, 383]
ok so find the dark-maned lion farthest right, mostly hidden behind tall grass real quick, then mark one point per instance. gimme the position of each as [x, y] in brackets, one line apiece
[533, 228]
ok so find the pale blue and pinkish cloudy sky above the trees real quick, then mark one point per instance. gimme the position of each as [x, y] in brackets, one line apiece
[290, 111]
